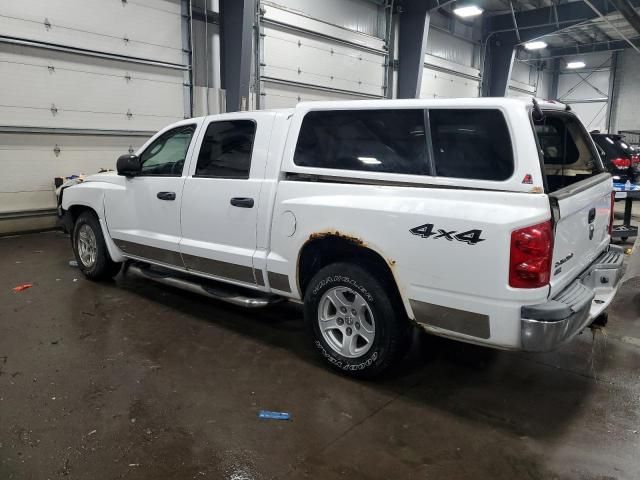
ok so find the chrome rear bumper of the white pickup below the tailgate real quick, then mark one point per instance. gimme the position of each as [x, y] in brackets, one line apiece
[548, 325]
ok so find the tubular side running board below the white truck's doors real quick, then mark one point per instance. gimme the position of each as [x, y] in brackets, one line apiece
[218, 291]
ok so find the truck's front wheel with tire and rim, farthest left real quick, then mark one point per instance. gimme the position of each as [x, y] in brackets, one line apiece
[90, 249]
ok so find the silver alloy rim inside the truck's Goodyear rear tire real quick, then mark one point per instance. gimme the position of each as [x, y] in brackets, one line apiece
[346, 322]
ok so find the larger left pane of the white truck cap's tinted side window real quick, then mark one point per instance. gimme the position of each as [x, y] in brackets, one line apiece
[391, 141]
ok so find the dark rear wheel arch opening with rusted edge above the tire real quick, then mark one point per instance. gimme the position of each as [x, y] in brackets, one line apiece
[323, 249]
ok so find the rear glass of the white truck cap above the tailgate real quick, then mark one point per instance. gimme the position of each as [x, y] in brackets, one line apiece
[567, 151]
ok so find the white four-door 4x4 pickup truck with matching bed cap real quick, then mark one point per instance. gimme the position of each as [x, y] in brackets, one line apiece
[482, 220]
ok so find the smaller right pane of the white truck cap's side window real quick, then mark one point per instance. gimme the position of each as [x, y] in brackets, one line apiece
[473, 144]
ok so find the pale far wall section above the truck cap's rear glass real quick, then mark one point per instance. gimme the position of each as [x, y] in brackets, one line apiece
[587, 90]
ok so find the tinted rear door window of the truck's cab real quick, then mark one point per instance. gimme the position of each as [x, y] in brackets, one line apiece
[226, 149]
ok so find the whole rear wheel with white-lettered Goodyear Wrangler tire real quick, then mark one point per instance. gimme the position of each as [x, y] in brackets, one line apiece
[376, 331]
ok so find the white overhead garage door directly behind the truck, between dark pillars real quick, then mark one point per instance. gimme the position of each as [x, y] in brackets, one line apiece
[330, 50]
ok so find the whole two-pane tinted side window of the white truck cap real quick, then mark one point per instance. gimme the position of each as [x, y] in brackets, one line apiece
[445, 142]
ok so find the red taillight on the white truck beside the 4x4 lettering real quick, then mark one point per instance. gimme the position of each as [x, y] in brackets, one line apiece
[530, 259]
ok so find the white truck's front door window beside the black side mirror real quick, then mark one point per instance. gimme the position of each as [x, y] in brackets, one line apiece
[166, 155]
